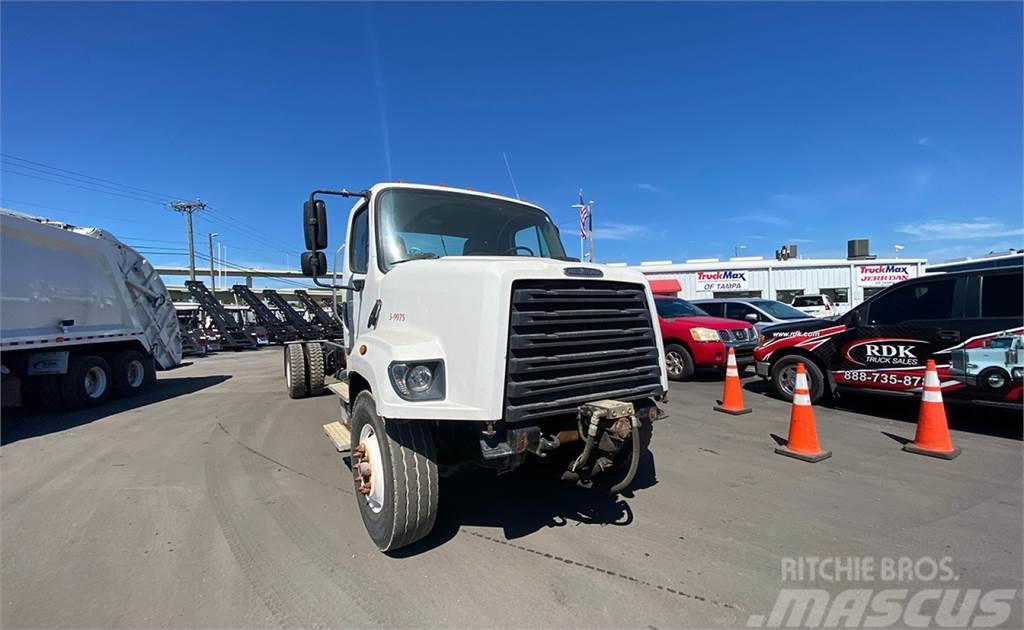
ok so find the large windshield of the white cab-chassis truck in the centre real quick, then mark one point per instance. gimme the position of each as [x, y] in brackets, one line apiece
[416, 225]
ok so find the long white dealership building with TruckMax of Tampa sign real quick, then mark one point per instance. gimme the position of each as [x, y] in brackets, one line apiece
[847, 282]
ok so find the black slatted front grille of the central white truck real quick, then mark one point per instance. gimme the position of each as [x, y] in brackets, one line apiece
[575, 342]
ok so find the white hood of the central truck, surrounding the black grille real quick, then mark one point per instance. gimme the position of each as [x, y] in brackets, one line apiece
[458, 310]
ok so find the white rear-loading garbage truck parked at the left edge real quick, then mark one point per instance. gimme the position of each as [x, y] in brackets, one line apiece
[83, 317]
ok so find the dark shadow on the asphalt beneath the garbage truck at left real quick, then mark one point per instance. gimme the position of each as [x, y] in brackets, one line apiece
[24, 424]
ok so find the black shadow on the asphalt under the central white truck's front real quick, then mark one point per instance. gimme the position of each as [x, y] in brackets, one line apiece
[532, 498]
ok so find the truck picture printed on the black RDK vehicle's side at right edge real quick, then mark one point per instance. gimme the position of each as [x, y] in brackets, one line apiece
[996, 366]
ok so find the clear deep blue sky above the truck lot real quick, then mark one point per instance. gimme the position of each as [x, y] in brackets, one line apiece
[695, 128]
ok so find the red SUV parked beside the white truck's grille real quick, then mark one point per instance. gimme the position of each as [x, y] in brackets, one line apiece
[695, 340]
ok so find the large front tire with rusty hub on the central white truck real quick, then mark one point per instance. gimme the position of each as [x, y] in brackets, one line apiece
[396, 472]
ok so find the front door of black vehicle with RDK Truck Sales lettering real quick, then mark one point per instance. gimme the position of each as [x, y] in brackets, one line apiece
[891, 338]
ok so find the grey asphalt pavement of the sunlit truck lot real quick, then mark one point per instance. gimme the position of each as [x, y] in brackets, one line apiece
[218, 501]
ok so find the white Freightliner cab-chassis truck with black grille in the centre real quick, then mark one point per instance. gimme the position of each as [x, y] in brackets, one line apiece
[472, 340]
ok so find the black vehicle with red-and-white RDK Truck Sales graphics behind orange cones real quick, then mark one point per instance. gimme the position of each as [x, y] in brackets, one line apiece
[884, 344]
